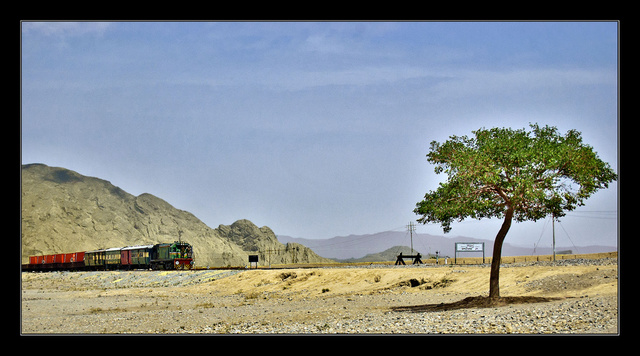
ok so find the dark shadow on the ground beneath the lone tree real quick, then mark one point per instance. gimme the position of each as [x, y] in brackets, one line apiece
[473, 302]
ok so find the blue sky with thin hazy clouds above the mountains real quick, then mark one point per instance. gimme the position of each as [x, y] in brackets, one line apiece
[315, 129]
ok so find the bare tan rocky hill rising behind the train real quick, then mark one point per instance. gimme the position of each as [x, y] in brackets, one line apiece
[63, 211]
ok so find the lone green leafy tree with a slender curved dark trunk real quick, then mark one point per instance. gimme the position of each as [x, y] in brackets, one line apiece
[511, 174]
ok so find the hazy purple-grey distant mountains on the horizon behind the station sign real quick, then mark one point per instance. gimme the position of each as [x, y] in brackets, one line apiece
[357, 246]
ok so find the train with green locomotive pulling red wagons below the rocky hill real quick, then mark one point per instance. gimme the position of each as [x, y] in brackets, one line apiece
[161, 256]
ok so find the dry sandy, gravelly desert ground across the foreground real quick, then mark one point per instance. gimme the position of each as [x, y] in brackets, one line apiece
[581, 297]
